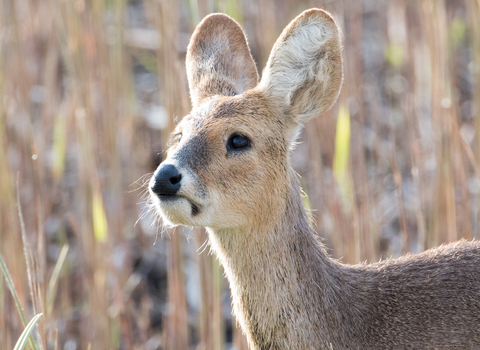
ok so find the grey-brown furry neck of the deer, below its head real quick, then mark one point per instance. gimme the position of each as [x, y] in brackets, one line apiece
[282, 273]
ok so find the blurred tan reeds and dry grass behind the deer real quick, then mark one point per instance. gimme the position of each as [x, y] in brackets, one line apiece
[89, 90]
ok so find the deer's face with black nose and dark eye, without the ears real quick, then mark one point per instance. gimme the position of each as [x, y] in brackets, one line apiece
[224, 161]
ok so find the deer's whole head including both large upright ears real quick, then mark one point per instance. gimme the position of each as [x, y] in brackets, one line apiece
[227, 161]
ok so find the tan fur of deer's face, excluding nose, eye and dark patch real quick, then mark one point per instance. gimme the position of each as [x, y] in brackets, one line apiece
[230, 190]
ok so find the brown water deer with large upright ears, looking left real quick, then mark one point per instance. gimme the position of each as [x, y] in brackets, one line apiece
[227, 169]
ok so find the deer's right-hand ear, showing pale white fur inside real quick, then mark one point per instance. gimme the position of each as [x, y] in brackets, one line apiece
[304, 72]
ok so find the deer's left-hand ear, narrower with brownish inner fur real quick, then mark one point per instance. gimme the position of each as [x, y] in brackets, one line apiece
[219, 61]
